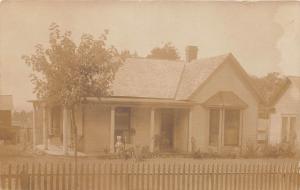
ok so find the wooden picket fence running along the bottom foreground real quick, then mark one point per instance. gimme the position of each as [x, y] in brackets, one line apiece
[141, 176]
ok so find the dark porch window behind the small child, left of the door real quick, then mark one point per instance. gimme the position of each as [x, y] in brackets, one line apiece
[122, 124]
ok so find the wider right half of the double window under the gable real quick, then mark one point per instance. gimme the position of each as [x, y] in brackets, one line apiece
[231, 127]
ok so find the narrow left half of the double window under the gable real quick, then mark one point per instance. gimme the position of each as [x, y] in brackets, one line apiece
[214, 123]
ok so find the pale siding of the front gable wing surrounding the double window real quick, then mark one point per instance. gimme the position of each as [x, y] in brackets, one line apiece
[225, 79]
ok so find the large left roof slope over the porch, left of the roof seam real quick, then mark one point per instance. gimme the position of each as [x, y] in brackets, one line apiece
[148, 78]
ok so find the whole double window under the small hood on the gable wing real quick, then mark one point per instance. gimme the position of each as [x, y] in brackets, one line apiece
[229, 122]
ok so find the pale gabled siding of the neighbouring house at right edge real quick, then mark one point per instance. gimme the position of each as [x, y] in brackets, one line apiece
[288, 104]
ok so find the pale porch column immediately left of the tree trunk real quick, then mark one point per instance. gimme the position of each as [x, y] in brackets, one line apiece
[66, 130]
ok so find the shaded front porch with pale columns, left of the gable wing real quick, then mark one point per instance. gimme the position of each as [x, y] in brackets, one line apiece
[161, 126]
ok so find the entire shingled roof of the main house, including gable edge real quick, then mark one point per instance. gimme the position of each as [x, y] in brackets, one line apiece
[177, 80]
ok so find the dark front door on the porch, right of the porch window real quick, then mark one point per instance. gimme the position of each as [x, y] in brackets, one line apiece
[167, 129]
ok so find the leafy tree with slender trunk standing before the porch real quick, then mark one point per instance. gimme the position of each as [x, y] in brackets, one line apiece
[65, 73]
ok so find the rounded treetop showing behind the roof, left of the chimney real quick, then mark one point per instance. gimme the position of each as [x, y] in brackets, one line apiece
[167, 51]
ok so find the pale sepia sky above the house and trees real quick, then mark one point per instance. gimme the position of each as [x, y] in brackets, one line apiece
[263, 36]
